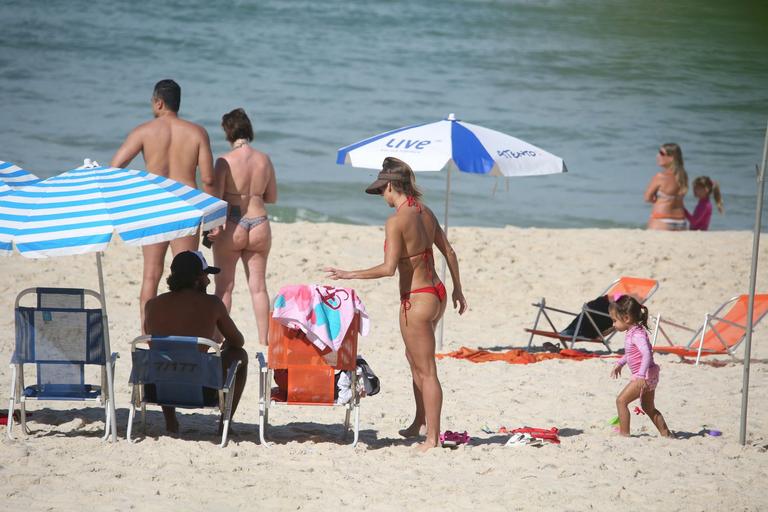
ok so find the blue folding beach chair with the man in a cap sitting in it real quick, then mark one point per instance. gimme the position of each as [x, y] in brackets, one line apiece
[173, 372]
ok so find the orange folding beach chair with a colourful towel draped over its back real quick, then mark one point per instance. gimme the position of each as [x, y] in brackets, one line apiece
[306, 374]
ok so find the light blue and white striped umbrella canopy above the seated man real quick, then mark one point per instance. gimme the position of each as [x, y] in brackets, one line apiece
[78, 212]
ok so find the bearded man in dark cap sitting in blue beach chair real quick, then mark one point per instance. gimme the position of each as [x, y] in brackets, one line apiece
[187, 310]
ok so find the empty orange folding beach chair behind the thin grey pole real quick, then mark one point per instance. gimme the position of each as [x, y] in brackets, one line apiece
[721, 332]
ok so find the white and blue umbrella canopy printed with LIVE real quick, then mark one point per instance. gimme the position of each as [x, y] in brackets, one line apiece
[471, 148]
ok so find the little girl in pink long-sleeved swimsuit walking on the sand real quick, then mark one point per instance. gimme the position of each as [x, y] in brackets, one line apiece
[630, 316]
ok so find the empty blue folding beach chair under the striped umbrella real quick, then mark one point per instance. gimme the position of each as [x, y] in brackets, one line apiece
[61, 337]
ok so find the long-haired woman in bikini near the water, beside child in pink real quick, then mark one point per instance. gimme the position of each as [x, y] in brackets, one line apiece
[667, 190]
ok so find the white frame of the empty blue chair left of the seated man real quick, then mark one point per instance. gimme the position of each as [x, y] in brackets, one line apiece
[17, 381]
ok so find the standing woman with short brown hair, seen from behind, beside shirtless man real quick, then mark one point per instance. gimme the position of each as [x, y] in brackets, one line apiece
[245, 179]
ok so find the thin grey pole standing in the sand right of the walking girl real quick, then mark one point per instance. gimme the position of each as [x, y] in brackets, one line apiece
[751, 303]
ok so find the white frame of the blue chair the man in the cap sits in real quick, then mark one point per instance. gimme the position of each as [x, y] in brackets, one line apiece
[226, 394]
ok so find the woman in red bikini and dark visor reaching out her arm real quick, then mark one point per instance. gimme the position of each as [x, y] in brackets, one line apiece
[410, 234]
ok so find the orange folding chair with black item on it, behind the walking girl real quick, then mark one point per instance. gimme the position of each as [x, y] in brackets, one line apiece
[640, 288]
